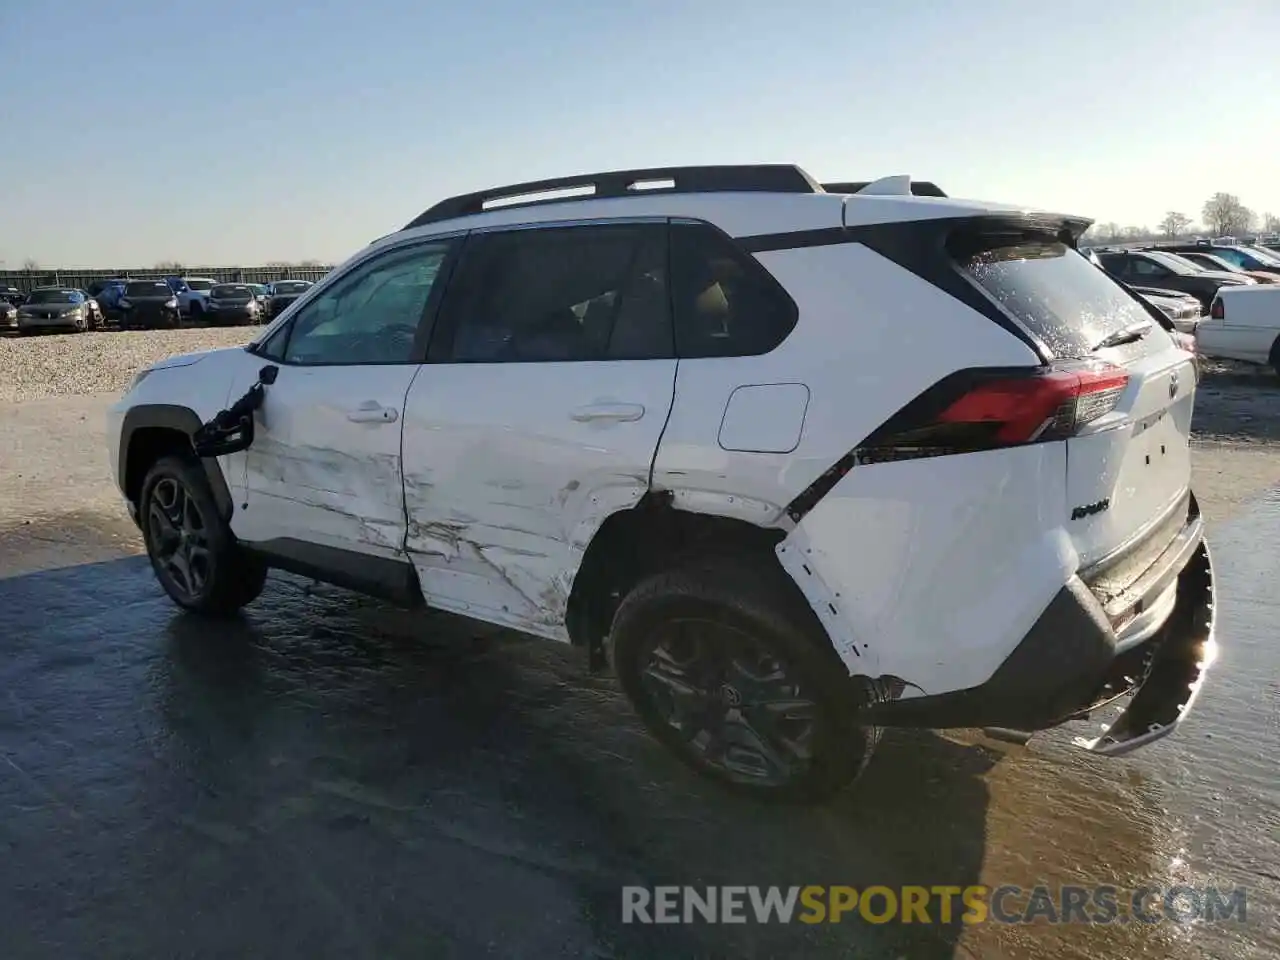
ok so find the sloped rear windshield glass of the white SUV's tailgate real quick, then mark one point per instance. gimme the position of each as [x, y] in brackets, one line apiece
[1058, 295]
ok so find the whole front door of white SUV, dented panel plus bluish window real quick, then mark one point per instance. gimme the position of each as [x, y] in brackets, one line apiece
[322, 482]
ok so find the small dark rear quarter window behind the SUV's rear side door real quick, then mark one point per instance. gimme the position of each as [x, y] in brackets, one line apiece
[725, 303]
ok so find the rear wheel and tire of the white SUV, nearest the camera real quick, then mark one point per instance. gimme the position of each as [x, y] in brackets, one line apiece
[740, 627]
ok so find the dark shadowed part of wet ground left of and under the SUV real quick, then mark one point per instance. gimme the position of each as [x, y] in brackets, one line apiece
[330, 778]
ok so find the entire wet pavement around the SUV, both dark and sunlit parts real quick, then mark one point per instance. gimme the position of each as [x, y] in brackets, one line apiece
[330, 778]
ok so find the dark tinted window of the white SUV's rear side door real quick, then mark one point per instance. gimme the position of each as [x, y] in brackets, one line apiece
[560, 294]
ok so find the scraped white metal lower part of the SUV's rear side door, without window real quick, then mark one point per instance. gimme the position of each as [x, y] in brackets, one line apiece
[510, 469]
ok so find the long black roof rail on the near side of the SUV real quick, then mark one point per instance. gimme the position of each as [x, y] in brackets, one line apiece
[747, 179]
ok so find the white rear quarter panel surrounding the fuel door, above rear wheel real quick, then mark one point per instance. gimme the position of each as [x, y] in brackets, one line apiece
[871, 337]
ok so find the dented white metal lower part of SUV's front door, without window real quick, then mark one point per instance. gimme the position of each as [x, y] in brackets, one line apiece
[326, 463]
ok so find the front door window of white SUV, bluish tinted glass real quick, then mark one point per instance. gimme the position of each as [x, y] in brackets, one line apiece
[372, 317]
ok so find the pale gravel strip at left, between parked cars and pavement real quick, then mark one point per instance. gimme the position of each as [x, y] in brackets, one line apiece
[65, 365]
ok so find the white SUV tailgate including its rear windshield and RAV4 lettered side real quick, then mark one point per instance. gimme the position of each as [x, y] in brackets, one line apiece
[1128, 446]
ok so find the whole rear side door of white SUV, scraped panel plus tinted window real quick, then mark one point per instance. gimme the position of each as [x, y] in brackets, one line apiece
[550, 380]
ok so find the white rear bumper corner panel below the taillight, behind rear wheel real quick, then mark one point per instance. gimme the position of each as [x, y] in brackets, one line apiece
[935, 570]
